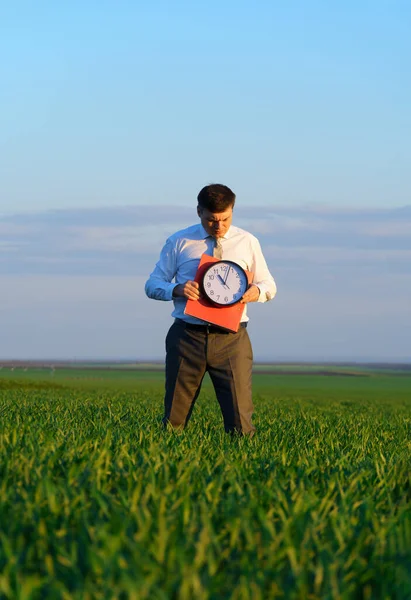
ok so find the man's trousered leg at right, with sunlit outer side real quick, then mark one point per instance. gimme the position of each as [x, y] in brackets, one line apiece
[230, 360]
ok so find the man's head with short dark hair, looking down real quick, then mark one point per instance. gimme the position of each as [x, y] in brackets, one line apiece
[215, 208]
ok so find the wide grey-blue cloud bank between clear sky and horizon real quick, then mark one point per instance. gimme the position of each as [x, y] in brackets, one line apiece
[73, 283]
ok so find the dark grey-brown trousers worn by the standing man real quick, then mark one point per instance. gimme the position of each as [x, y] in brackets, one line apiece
[227, 357]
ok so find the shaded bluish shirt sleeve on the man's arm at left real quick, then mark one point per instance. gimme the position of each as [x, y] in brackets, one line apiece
[160, 285]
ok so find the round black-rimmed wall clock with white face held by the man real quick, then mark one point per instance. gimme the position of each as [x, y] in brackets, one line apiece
[225, 282]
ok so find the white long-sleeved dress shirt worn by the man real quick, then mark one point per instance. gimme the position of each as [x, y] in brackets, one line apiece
[180, 257]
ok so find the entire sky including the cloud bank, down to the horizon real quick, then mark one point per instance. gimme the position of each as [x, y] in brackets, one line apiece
[114, 115]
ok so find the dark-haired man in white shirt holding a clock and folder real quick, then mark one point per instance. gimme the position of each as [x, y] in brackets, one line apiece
[194, 347]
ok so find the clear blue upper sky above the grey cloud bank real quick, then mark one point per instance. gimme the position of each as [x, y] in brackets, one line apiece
[125, 103]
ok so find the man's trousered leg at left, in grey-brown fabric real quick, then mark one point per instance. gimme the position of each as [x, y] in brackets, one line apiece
[185, 369]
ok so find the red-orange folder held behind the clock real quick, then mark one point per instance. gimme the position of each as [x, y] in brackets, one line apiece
[228, 317]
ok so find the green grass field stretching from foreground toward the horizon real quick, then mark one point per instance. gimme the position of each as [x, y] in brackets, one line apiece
[97, 501]
